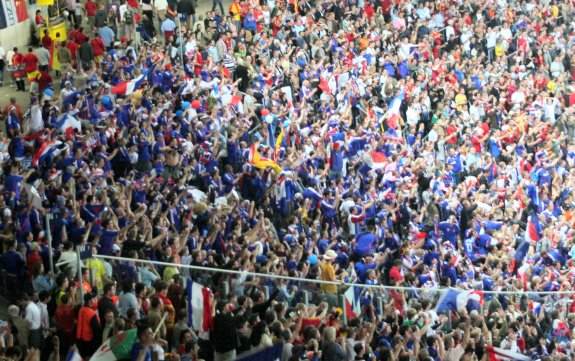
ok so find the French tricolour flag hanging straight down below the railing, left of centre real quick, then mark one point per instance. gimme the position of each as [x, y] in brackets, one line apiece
[199, 306]
